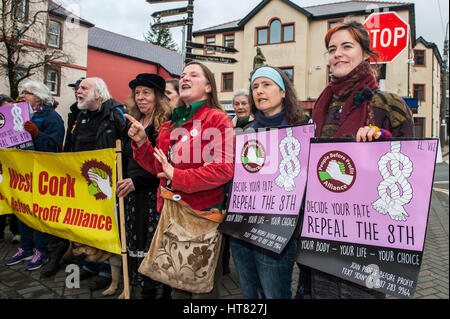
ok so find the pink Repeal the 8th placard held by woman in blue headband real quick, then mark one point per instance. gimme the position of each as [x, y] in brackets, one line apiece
[268, 186]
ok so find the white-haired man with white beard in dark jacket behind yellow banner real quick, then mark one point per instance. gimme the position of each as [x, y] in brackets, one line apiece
[99, 123]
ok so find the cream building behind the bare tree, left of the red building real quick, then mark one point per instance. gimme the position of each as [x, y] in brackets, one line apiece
[56, 29]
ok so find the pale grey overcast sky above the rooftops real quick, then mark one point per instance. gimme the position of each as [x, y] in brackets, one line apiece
[132, 17]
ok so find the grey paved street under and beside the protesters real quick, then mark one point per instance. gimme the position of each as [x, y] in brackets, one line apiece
[16, 283]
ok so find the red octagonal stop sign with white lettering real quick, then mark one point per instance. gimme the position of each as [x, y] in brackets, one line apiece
[389, 35]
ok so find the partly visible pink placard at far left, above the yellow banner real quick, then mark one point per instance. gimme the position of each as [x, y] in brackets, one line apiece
[12, 133]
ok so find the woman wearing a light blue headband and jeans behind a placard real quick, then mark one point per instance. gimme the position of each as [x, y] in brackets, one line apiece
[261, 273]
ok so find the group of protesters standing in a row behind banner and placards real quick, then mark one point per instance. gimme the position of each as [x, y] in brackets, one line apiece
[166, 195]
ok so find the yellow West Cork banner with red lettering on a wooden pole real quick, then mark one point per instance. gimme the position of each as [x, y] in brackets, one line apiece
[69, 195]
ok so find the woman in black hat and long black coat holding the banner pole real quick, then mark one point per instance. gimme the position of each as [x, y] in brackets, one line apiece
[138, 186]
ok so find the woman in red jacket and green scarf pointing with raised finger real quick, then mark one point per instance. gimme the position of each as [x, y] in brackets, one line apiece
[193, 156]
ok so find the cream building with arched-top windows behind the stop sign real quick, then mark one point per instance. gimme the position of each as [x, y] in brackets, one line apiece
[292, 38]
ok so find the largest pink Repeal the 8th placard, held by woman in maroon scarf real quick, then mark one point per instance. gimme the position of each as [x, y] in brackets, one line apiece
[366, 211]
